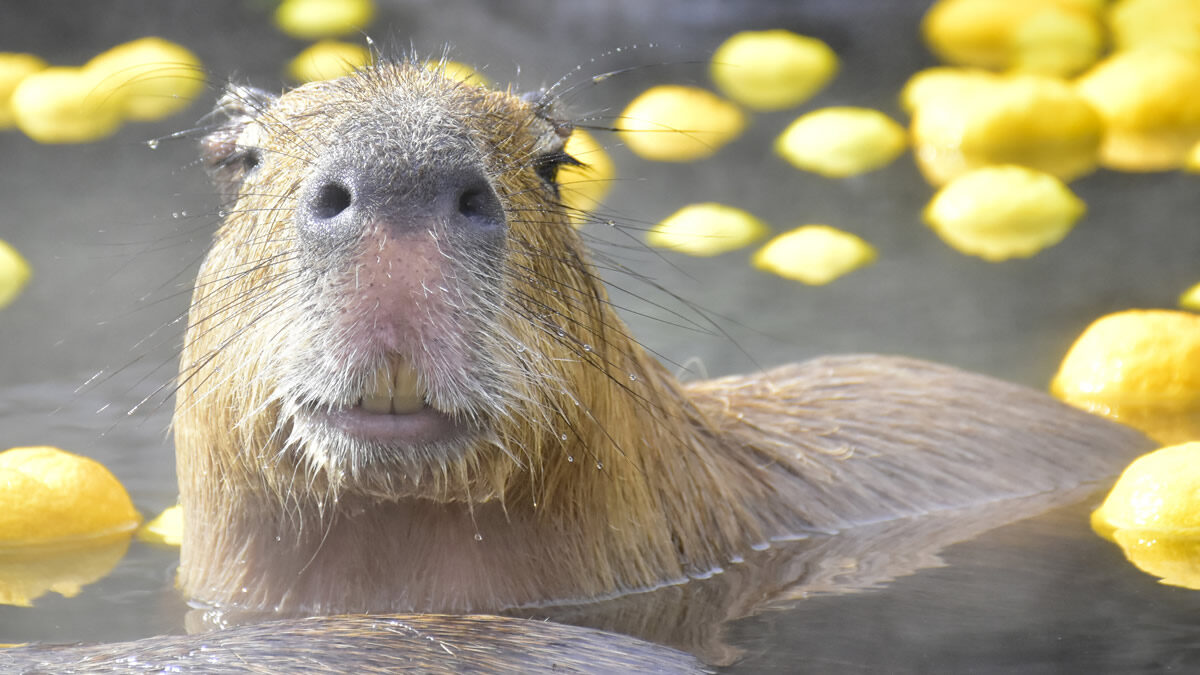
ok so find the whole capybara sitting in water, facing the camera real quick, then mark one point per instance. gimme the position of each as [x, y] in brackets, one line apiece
[404, 387]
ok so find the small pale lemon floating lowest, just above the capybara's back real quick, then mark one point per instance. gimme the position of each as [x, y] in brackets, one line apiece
[814, 254]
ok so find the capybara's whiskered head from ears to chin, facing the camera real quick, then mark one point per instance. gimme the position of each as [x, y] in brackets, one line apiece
[395, 304]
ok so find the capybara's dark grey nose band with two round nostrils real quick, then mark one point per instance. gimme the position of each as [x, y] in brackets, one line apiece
[337, 207]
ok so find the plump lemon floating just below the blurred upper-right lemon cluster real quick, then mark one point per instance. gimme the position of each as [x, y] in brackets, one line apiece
[1005, 212]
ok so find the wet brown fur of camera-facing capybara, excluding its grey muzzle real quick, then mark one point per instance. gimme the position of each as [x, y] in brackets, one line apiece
[601, 474]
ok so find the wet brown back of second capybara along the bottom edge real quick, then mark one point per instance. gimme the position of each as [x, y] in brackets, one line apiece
[367, 644]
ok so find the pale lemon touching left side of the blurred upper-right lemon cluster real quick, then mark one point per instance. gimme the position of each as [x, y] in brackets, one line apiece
[842, 142]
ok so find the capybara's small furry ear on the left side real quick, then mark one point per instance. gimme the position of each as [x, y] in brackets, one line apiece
[225, 154]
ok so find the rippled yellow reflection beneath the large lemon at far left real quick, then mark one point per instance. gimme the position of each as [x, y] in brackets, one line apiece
[28, 575]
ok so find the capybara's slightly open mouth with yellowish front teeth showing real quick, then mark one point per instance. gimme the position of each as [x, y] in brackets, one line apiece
[394, 411]
